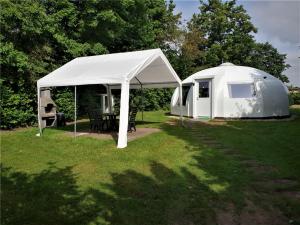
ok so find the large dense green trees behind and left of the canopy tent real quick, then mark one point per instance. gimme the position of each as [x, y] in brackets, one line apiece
[38, 36]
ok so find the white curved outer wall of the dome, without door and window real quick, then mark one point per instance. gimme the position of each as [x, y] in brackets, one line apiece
[271, 97]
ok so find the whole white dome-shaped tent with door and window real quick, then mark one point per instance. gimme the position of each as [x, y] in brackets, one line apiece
[230, 91]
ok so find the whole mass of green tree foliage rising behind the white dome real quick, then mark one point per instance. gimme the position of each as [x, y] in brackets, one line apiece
[225, 34]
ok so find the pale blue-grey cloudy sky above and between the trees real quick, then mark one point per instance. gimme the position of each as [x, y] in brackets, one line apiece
[278, 22]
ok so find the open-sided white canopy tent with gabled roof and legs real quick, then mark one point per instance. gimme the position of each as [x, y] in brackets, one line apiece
[148, 68]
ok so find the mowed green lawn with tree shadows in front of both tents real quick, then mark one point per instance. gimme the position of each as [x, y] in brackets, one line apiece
[237, 172]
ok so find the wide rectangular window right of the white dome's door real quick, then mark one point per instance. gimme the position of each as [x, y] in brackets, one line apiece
[241, 90]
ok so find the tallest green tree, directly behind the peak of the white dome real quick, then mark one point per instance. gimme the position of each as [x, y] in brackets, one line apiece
[228, 31]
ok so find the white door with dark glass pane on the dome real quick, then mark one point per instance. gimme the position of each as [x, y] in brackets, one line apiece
[204, 98]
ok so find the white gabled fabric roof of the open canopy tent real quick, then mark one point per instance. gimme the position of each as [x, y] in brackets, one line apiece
[150, 66]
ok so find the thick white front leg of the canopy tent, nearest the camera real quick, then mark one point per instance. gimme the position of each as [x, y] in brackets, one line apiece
[124, 108]
